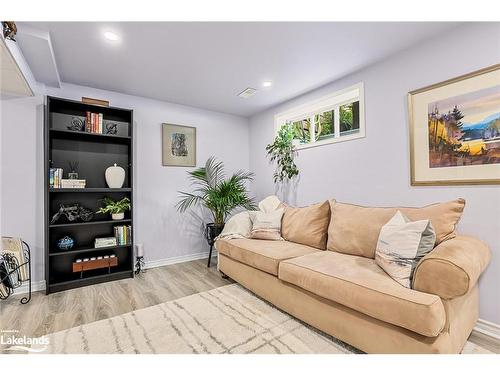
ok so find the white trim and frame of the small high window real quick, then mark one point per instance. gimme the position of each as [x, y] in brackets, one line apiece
[331, 101]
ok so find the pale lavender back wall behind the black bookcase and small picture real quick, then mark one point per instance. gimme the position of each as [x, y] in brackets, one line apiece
[164, 232]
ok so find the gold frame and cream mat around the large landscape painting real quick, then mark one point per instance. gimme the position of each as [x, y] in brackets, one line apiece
[415, 131]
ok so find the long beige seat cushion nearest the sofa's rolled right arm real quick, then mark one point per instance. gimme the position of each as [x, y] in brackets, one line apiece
[360, 284]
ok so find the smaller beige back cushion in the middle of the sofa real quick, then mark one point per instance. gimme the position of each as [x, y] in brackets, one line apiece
[307, 225]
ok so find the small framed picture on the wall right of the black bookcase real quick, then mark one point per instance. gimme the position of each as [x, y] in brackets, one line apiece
[179, 145]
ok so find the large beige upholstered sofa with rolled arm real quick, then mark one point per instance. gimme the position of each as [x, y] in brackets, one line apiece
[324, 274]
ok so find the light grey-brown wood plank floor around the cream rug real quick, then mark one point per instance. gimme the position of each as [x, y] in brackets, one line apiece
[58, 311]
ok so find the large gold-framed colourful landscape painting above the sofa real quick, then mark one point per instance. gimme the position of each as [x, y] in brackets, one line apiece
[455, 130]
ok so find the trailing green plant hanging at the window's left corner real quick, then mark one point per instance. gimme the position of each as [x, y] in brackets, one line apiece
[283, 152]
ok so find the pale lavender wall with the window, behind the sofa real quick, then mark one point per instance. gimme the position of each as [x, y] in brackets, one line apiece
[375, 170]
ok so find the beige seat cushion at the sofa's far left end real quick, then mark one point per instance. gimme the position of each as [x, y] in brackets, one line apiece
[264, 255]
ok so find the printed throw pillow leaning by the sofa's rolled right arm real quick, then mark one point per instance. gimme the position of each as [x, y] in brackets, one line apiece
[401, 244]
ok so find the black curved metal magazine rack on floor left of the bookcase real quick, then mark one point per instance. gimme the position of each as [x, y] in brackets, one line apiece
[10, 276]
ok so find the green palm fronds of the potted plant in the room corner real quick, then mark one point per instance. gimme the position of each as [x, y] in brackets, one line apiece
[218, 194]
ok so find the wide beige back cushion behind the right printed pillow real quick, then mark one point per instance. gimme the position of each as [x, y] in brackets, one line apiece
[355, 229]
